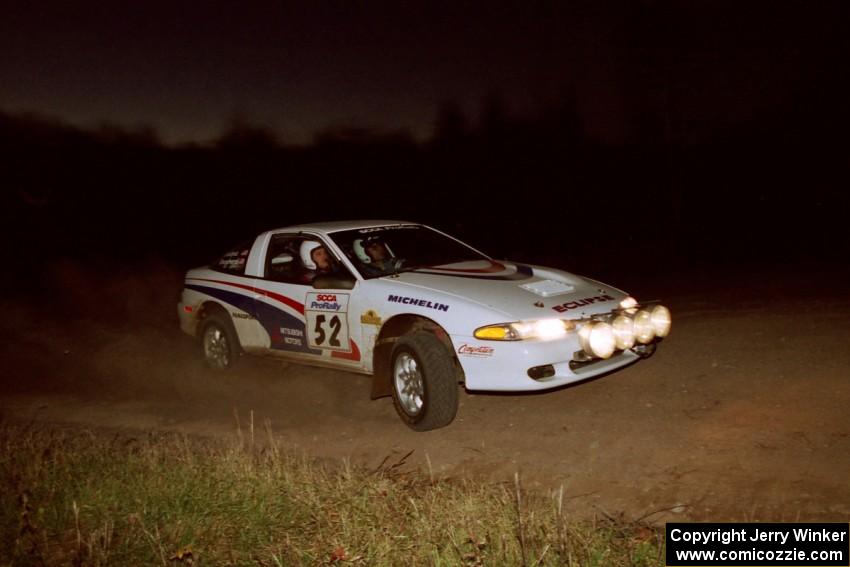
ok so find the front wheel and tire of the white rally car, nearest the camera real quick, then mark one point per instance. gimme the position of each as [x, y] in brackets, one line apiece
[424, 382]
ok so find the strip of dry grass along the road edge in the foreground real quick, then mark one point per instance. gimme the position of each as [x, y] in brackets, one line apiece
[89, 498]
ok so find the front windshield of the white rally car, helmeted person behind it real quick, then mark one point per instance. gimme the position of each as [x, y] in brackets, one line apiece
[382, 251]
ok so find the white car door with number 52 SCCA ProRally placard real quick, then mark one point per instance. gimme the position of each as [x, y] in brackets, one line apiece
[305, 323]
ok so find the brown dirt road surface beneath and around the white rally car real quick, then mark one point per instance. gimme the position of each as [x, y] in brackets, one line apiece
[741, 415]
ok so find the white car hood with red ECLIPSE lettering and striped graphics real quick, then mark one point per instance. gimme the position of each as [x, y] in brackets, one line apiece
[517, 290]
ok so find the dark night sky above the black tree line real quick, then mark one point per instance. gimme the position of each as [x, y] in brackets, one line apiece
[189, 69]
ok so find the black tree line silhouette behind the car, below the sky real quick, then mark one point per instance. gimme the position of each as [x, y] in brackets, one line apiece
[532, 188]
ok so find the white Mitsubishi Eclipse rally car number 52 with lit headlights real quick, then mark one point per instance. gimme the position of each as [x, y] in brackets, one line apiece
[419, 310]
